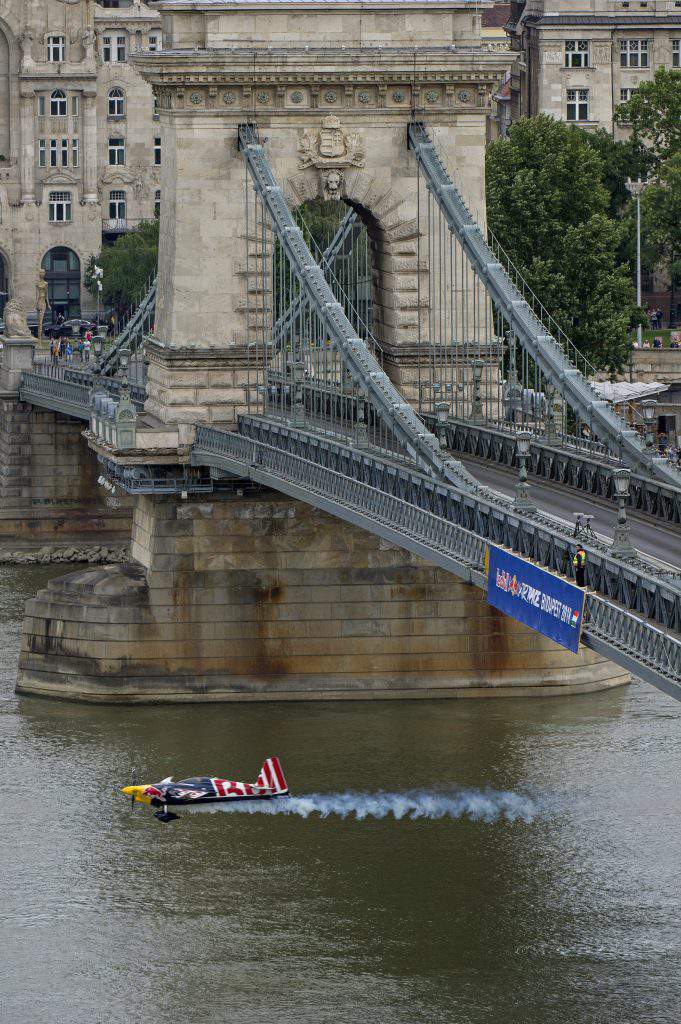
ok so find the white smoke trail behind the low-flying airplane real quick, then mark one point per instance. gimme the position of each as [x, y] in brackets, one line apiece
[478, 805]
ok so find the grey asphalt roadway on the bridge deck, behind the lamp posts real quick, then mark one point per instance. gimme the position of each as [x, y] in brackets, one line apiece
[649, 536]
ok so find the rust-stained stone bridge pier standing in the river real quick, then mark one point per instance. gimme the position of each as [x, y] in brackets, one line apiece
[270, 600]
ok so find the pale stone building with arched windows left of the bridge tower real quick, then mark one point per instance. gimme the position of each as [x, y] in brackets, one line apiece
[80, 144]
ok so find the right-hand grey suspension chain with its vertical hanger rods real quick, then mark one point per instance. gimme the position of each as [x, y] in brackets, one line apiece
[494, 353]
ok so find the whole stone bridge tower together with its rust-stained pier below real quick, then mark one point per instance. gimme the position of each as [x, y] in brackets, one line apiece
[250, 595]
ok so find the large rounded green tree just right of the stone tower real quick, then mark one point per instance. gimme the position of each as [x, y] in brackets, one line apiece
[549, 208]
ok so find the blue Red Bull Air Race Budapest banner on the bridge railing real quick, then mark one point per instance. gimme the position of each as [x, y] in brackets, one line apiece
[536, 598]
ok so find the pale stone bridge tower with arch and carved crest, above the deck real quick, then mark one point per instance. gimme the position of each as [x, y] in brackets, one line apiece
[332, 87]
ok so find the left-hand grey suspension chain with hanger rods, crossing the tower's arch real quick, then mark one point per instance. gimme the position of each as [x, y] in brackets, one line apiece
[323, 368]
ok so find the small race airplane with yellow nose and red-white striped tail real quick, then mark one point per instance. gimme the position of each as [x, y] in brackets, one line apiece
[207, 790]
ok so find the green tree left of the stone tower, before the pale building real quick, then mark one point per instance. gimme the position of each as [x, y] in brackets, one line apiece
[127, 265]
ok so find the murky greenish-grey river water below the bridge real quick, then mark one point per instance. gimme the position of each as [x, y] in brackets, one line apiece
[568, 914]
